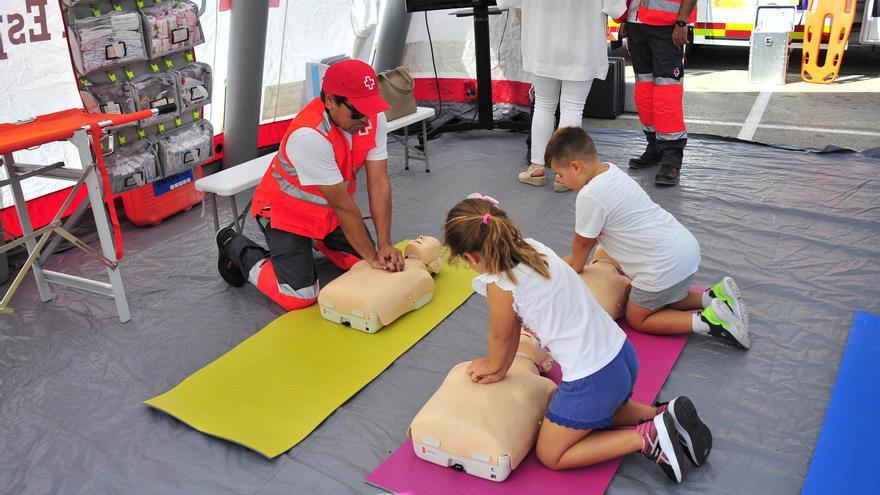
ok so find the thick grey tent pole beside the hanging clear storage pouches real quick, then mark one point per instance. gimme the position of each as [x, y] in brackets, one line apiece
[247, 46]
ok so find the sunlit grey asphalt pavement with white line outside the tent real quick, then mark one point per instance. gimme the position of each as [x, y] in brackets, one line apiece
[720, 100]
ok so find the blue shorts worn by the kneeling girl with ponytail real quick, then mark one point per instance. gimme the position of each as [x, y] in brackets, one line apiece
[590, 403]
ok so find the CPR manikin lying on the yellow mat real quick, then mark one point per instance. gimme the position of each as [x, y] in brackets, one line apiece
[368, 299]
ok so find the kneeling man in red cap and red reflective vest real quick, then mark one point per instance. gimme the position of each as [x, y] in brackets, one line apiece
[306, 197]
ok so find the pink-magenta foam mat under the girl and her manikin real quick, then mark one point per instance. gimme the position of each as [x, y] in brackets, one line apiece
[404, 473]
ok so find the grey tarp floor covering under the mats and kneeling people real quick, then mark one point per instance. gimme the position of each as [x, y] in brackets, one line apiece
[799, 231]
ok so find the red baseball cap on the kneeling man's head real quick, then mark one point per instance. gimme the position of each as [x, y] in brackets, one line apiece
[357, 82]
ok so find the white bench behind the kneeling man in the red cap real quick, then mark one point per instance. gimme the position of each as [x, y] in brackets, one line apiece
[234, 180]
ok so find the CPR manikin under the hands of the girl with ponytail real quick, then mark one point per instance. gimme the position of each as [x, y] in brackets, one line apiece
[486, 430]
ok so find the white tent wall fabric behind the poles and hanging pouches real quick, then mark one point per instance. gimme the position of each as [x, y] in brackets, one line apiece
[36, 76]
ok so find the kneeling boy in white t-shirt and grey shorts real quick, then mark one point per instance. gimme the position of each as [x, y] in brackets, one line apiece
[656, 251]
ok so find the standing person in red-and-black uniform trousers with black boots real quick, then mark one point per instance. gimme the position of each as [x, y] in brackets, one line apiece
[657, 31]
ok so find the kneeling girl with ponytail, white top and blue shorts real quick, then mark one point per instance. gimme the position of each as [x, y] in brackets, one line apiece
[526, 284]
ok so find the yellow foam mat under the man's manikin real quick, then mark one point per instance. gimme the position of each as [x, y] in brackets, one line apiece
[269, 392]
